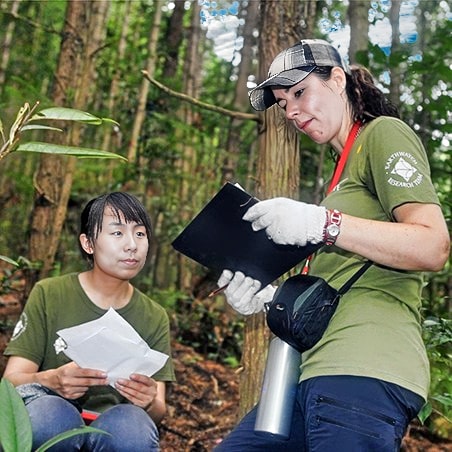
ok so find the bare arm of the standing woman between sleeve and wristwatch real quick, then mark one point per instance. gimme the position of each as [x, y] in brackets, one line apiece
[418, 240]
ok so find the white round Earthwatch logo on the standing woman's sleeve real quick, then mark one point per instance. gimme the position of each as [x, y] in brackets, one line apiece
[401, 169]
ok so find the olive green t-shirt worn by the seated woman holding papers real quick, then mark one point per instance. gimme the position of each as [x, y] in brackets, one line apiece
[60, 302]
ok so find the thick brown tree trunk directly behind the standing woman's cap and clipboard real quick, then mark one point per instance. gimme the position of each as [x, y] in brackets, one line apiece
[278, 166]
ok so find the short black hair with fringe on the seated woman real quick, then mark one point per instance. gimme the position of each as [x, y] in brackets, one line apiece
[122, 204]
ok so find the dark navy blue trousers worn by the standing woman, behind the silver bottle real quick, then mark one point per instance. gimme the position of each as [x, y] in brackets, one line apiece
[335, 414]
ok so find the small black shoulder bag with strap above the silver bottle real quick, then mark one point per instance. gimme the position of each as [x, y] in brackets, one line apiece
[303, 306]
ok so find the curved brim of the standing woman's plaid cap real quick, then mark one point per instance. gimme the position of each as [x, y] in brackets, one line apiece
[262, 96]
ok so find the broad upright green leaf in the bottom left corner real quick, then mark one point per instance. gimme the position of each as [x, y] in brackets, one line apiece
[15, 427]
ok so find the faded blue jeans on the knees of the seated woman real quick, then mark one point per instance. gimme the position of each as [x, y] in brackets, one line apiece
[130, 427]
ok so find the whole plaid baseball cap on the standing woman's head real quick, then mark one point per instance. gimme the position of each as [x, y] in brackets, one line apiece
[292, 65]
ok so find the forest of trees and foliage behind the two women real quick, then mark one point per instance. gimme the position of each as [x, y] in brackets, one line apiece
[174, 77]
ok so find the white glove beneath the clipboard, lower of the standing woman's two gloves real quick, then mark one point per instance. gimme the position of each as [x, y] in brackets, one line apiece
[243, 292]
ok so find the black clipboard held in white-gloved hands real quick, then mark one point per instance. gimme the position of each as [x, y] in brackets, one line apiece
[218, 238]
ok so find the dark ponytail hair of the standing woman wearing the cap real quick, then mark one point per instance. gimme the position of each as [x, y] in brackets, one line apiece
[367, 101]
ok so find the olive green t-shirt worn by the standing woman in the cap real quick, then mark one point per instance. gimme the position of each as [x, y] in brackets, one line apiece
[376, 330]
